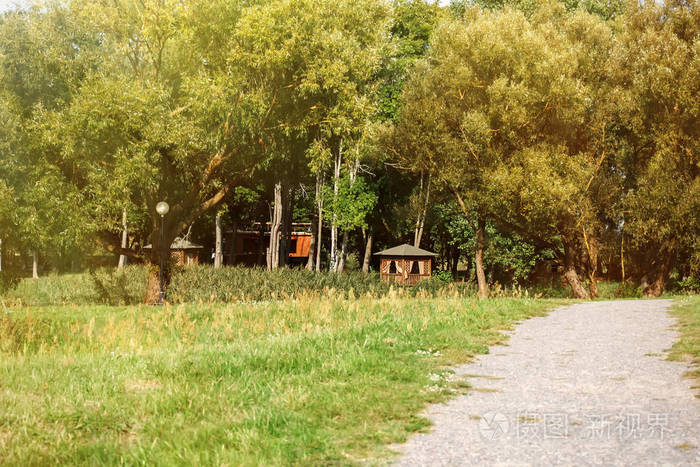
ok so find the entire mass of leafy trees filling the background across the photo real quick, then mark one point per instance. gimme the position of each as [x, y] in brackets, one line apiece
[558, 133]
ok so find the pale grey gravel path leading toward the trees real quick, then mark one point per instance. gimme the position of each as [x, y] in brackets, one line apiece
[586, 385]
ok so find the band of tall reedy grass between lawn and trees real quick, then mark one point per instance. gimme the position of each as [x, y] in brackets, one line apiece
[204, 284]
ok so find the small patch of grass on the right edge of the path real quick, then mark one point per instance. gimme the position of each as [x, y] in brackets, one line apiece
[687, 312]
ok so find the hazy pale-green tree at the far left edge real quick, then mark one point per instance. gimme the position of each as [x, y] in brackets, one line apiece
[43, 57]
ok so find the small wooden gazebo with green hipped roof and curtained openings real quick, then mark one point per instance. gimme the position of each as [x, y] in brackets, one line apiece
[405, 264]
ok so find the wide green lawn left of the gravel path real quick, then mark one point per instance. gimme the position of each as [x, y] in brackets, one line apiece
[306, 381]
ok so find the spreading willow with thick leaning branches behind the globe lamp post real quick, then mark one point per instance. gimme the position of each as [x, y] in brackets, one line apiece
[162, 118]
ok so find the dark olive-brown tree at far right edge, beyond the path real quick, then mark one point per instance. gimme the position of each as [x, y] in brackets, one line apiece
[658, 79]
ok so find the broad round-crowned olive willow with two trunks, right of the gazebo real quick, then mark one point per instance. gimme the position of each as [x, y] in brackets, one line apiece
[505, 113]
